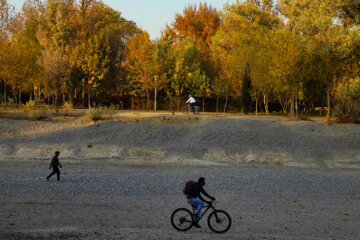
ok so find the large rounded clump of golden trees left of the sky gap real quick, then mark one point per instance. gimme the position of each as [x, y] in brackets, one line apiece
[64, 49]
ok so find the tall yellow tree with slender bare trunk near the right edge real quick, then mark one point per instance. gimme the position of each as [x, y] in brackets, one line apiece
[315, 22]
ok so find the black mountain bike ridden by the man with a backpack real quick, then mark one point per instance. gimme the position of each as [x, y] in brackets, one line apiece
[219, 221]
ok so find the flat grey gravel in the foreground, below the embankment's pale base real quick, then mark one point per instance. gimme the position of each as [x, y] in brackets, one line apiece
[109, 201]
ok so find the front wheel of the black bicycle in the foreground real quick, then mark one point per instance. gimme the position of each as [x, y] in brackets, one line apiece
[219, 221]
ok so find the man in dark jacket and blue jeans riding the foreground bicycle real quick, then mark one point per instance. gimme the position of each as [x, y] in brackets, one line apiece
[194, 198]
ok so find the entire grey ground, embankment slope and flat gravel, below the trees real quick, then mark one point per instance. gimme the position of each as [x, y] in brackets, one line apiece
[278, 179]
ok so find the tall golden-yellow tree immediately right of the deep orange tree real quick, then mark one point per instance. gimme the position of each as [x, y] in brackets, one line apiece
[244, 27]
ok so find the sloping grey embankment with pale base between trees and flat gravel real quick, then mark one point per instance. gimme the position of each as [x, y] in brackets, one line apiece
[201, 140]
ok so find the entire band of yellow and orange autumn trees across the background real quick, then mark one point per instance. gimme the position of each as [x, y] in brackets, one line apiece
[297, 53]
